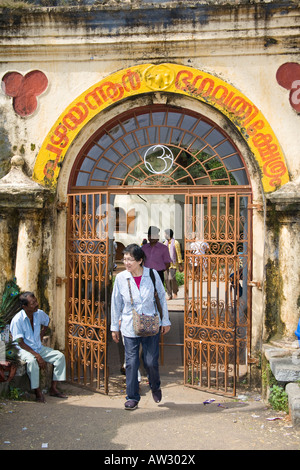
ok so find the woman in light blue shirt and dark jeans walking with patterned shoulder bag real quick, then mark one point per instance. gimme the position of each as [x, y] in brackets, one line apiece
[133, 288]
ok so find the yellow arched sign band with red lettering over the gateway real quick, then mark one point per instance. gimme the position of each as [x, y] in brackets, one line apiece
[171, 78]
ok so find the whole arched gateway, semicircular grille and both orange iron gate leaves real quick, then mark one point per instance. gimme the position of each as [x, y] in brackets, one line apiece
[173, 168]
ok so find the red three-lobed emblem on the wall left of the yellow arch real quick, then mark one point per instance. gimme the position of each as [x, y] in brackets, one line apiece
[24, 90]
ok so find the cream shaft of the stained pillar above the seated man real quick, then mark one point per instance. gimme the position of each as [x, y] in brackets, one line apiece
[29, 249]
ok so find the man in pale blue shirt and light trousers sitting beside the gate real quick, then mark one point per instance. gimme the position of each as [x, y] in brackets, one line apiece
[28, 328]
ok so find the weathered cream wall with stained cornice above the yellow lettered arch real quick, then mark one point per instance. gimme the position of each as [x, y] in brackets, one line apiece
[75, 47]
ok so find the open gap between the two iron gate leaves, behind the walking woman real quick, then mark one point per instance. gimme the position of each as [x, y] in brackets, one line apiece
[133, 216]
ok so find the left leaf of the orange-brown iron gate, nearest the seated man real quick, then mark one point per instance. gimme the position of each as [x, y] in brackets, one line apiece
[87, 261]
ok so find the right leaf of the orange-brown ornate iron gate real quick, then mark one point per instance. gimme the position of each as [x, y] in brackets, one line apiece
[217, 298]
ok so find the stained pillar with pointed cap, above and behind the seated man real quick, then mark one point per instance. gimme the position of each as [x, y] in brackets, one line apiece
[20, 195]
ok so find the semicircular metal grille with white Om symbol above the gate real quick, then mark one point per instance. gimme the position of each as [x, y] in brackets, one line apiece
[159, 146]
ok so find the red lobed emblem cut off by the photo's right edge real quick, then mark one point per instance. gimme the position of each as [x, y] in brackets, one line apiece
[288, 76]
